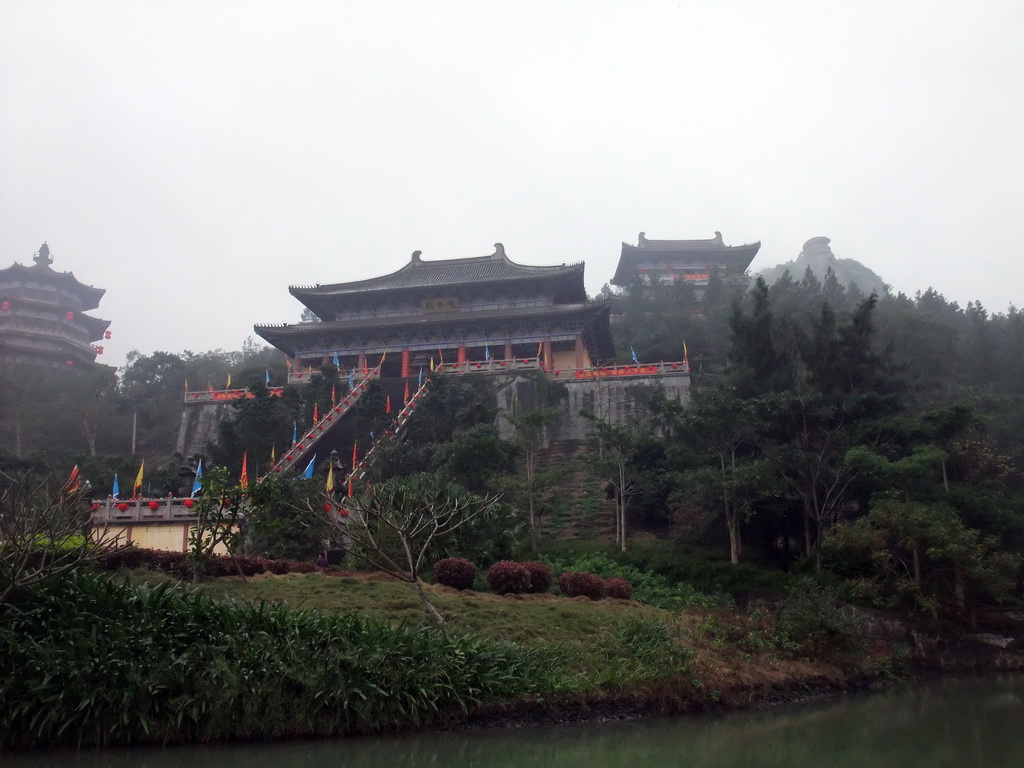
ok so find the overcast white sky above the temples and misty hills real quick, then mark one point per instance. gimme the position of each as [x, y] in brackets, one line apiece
[196, 158]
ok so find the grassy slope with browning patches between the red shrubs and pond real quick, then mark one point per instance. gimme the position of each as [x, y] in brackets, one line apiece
[609, 650]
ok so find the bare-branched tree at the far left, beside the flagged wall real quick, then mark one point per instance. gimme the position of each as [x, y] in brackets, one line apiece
[46, 531]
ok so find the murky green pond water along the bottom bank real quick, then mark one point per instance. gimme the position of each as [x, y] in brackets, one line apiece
[956, 722]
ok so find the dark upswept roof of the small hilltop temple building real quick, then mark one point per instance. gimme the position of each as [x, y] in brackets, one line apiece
[669, 253]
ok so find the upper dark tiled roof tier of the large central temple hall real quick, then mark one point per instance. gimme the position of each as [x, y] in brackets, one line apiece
[419, 274]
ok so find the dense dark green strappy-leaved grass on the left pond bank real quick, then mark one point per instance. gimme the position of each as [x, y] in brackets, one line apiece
[90, 661]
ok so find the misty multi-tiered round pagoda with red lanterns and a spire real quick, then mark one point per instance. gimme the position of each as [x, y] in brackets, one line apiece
[44, 317]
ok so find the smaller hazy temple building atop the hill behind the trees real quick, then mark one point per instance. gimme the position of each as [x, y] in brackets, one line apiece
[692, 261]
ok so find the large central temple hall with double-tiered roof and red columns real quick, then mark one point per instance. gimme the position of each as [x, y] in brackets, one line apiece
[453, 311]
